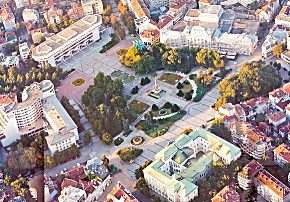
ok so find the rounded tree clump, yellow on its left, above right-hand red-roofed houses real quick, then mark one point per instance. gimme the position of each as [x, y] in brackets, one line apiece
[253, 79]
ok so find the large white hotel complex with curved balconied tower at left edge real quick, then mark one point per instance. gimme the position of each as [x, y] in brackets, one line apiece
[39, 109]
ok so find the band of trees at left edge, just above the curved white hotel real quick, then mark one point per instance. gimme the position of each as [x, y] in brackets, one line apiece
[14, 80]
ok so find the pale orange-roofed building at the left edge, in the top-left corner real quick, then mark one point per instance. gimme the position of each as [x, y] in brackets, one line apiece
[7, 17]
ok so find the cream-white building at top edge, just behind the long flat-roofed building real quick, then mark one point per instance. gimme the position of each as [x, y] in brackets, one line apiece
[92, 7]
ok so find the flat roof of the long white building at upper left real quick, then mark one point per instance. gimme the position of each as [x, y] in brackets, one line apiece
[63, 37]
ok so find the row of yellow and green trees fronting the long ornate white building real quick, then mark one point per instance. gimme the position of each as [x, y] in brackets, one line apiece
[160, 56]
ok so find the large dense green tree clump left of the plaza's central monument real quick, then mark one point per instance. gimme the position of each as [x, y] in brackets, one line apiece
[106, 107]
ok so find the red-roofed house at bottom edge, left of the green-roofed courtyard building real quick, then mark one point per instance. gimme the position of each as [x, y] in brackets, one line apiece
[120, 193]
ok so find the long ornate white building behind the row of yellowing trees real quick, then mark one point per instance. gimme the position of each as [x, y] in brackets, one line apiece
[198, 36]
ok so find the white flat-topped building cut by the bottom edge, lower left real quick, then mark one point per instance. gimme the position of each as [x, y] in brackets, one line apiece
[72, 194]
